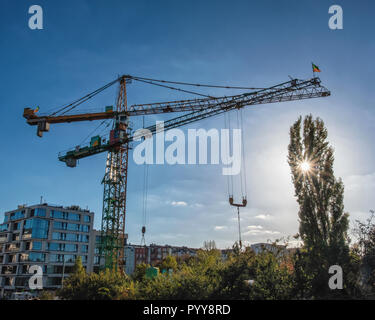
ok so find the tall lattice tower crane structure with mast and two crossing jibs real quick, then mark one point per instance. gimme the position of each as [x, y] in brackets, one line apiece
[117, 145]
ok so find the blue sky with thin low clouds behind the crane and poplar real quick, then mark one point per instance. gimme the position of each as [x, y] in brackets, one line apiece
[85, 44]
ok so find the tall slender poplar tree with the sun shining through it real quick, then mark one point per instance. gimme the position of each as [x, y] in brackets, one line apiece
[323, 222]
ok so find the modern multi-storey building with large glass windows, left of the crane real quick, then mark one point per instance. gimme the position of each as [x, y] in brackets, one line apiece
[50, 237]
